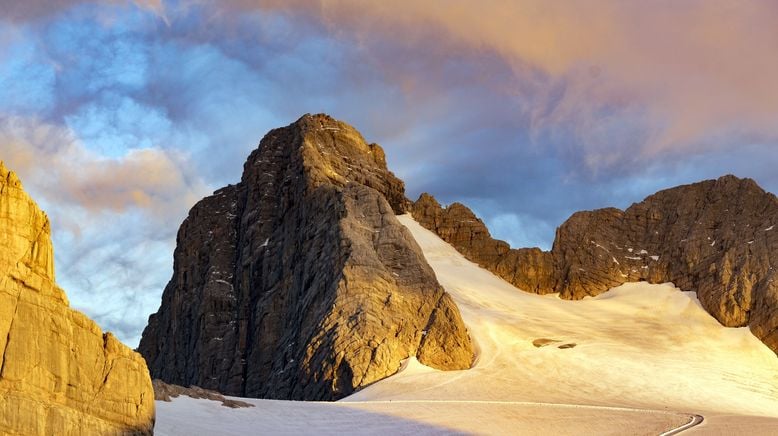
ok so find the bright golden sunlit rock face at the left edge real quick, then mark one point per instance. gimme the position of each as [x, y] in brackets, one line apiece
[59, 373]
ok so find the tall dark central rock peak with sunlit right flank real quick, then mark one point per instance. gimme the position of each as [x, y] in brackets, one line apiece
[299, 282]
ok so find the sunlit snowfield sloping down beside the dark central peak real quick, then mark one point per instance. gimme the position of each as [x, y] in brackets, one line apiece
[638, 359]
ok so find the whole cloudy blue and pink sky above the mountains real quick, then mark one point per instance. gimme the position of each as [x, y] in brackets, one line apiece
[119, 116]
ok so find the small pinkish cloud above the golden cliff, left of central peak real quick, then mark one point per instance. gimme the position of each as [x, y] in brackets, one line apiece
[65, 172]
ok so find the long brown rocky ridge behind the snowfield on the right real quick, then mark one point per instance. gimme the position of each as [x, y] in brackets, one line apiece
[717, 237]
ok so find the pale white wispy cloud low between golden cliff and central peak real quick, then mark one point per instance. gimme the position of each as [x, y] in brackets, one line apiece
[115, 270]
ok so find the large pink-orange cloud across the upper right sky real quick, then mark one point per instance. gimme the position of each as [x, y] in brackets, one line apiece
[686, 71]
